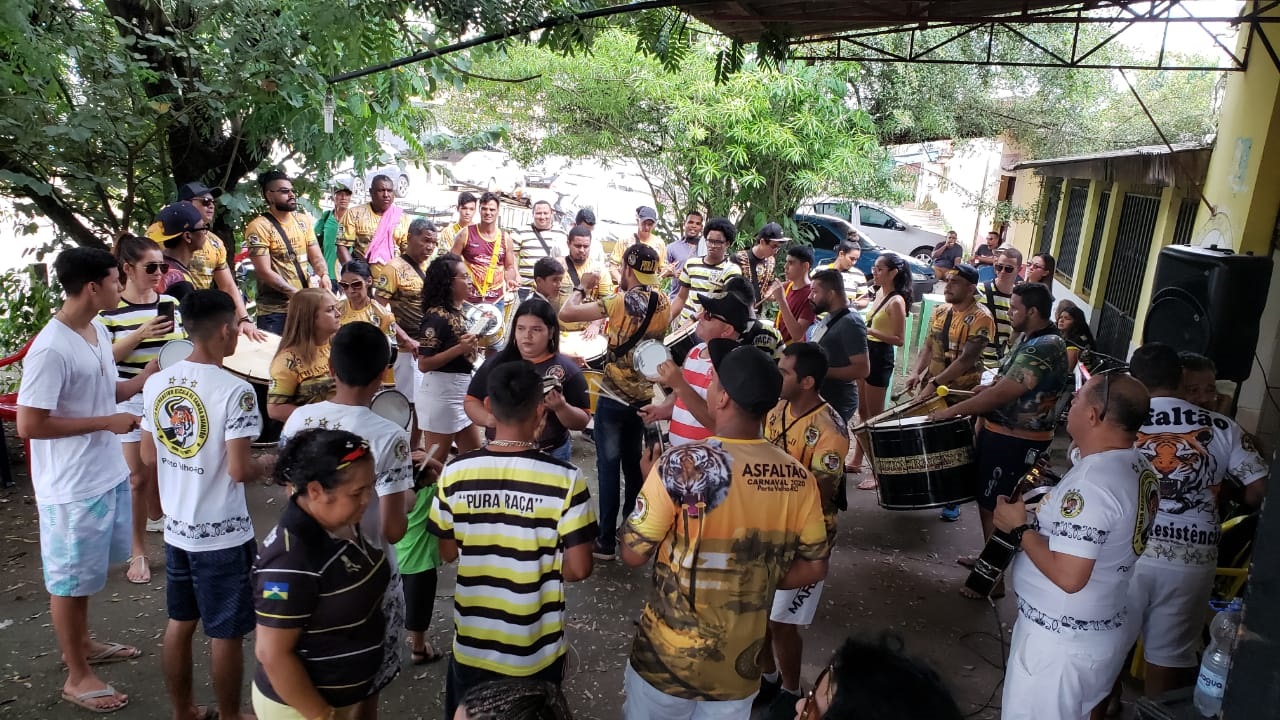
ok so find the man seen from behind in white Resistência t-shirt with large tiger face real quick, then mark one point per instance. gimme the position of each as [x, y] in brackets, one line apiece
[1192, 452]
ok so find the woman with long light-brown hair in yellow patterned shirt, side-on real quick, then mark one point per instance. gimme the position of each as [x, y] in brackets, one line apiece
[300, 371]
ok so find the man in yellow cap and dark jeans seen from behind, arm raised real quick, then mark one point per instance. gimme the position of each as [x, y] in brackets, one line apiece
[639, 312]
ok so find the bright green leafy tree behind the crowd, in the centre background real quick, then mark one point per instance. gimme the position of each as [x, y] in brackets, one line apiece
[752, 145]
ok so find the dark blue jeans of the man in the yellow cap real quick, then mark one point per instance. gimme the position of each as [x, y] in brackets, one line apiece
[619, 441]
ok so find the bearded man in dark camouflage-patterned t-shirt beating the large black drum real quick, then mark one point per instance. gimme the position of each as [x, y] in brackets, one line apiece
[1020, 411]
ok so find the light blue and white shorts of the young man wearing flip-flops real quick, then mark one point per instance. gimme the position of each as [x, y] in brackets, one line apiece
[81, 540]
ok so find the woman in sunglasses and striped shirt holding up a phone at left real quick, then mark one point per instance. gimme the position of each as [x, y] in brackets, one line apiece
[139, 331]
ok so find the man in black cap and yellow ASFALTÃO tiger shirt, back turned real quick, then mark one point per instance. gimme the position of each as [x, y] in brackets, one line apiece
[697, 649]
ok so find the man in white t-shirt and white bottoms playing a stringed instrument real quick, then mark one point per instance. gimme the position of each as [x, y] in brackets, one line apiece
[1078, 553]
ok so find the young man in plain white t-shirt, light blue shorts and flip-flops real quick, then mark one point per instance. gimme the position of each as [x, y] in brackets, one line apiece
[67, 411]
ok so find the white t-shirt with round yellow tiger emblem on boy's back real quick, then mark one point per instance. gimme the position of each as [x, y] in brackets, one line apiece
[193, 411]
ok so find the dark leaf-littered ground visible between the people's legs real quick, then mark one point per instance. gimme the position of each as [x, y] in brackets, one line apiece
[889, 572]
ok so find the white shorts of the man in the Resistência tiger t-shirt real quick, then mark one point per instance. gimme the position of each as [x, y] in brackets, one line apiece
[1169, 607]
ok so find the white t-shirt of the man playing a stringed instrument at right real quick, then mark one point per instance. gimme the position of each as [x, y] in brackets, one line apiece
[1103, 512]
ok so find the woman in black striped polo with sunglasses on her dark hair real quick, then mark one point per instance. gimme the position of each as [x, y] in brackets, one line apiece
[319, 586]
